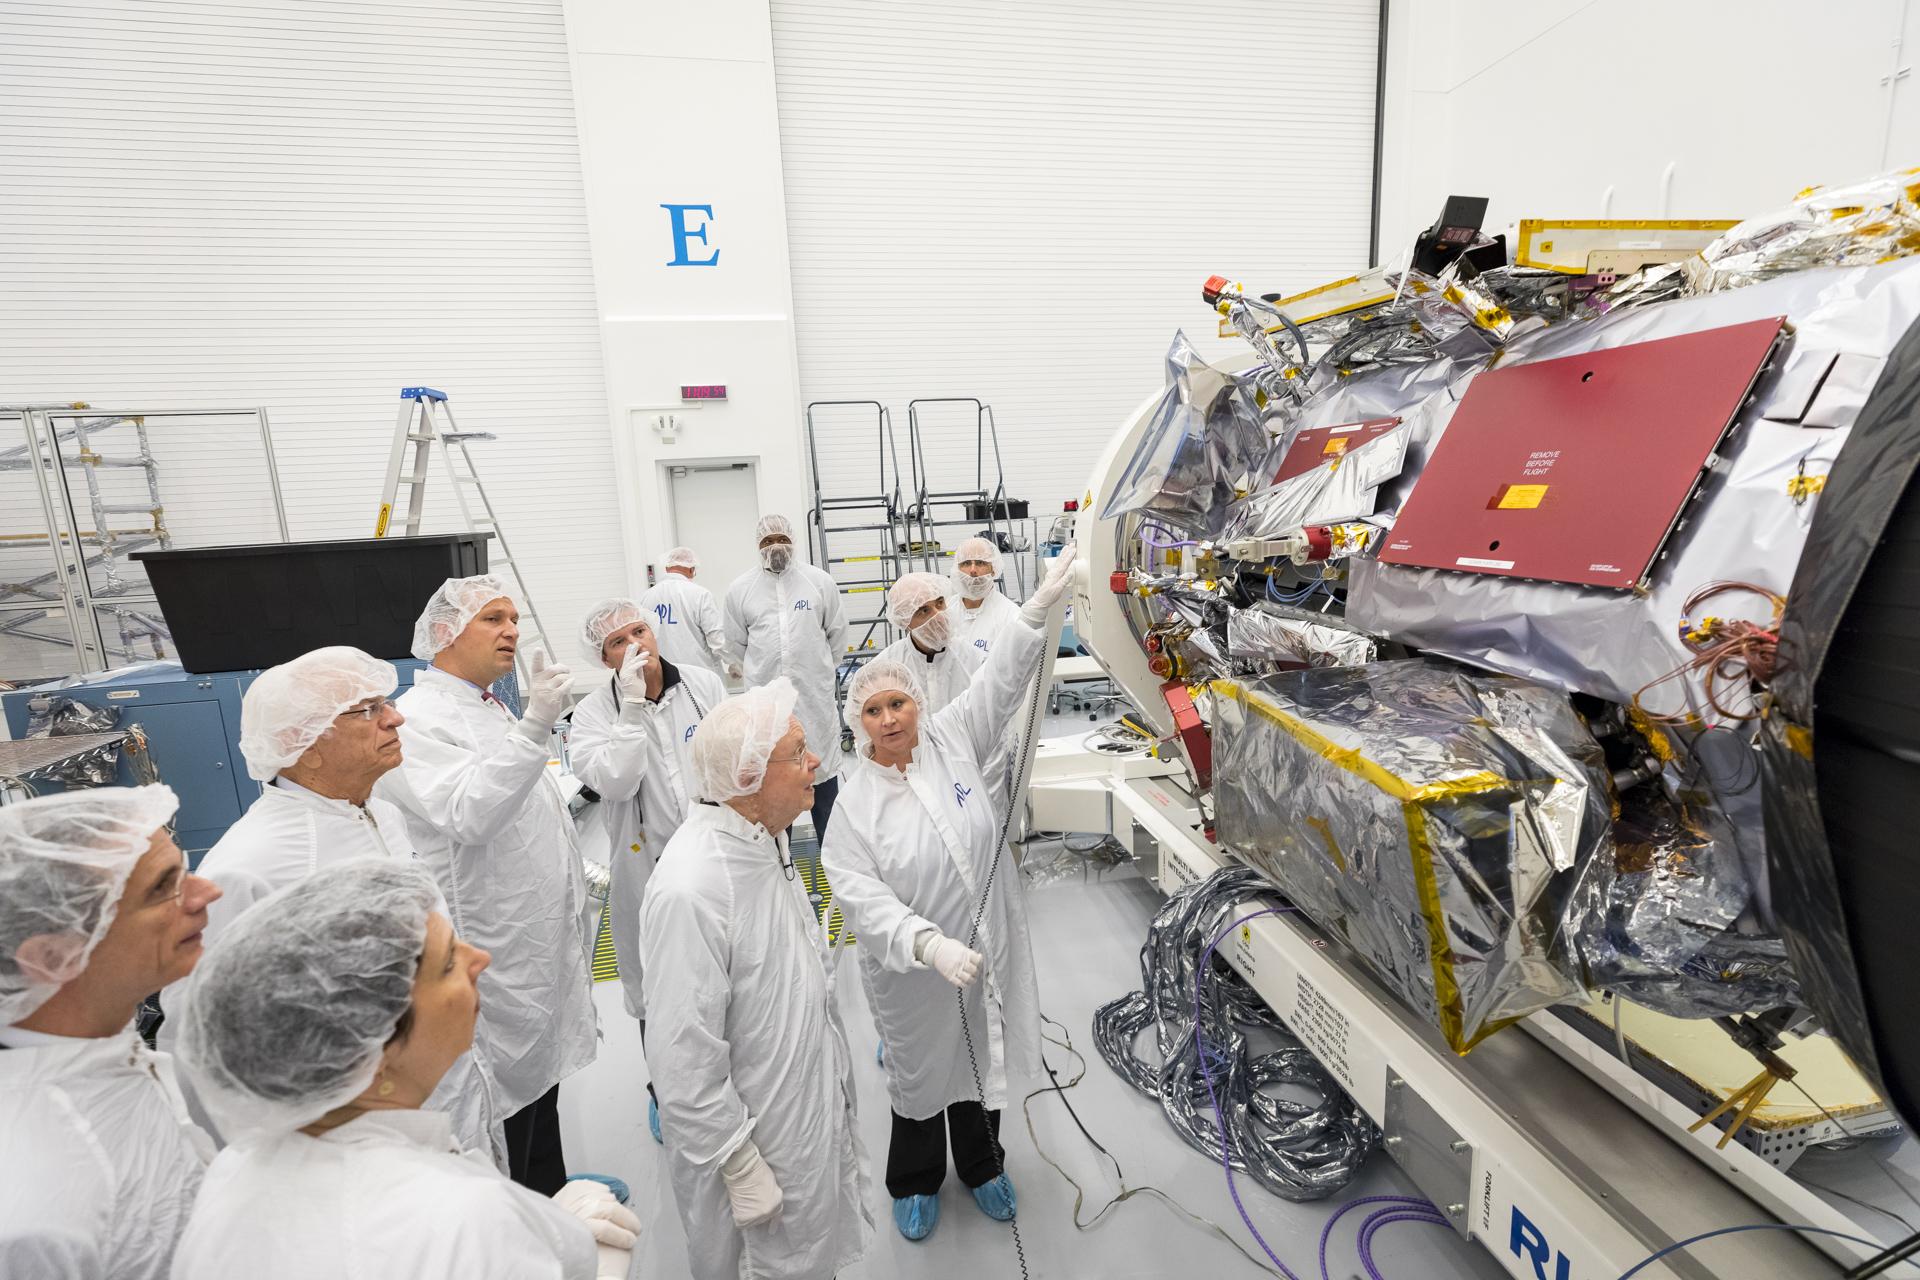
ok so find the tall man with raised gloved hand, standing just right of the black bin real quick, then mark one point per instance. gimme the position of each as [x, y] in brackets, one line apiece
[492, 826]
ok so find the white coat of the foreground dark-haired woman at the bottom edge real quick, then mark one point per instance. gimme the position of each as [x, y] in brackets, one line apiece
[387, 1195]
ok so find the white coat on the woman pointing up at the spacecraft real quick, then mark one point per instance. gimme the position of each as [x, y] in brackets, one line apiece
[913, 851]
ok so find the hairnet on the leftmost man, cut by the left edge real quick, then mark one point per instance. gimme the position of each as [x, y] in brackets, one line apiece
[64, 865]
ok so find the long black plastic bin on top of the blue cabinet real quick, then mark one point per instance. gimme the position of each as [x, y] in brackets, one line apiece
[233, 609]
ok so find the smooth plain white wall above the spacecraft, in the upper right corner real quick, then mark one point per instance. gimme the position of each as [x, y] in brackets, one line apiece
[1771, 103]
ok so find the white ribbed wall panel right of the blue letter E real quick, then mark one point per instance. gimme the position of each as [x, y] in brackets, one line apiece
[1019, 201]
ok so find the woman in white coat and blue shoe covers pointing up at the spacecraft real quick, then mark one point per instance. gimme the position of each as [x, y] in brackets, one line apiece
[917, 859]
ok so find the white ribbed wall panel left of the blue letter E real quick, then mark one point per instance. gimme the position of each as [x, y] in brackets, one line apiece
[308, 204]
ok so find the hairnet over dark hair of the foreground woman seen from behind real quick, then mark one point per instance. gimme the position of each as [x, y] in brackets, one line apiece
[289, 1010]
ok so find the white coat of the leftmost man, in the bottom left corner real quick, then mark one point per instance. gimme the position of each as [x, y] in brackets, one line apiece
[101, 1160]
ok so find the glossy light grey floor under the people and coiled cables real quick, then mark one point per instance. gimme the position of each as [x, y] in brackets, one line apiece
[1088, 932]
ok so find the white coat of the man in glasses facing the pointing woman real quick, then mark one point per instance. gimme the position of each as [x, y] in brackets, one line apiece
[746, 1043]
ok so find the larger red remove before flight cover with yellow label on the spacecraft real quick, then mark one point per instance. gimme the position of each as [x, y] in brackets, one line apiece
[1577, 469]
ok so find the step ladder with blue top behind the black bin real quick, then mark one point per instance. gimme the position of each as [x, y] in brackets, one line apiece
[427, 421]
